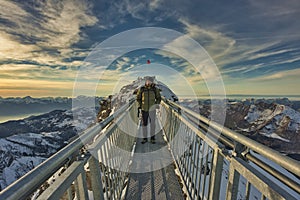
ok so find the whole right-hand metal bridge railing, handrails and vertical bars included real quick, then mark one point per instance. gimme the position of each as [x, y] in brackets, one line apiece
[217, 163]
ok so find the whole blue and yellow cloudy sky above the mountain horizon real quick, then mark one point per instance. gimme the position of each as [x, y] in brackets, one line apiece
[253, 45]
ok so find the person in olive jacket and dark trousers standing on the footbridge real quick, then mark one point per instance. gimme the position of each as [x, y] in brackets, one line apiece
[148, 97]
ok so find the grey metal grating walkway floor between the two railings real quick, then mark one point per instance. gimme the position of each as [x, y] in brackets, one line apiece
[156, 184]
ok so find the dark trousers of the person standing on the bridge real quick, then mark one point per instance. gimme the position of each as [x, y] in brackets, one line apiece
[148, 116]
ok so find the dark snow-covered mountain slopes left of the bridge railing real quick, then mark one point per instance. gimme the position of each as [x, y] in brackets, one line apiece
[26, 143]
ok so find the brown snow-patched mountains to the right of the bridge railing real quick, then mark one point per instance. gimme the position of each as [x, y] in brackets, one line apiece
[273, 122]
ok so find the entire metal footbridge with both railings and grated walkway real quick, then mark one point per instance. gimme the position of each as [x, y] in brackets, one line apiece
[193, 158]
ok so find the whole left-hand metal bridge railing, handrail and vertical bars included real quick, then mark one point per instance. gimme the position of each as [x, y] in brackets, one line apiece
[82, 174]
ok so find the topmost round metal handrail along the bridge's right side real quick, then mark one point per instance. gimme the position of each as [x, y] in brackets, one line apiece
[286, 162]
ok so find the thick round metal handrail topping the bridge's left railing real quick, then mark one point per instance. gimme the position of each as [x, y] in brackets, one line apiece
[31, 181]
